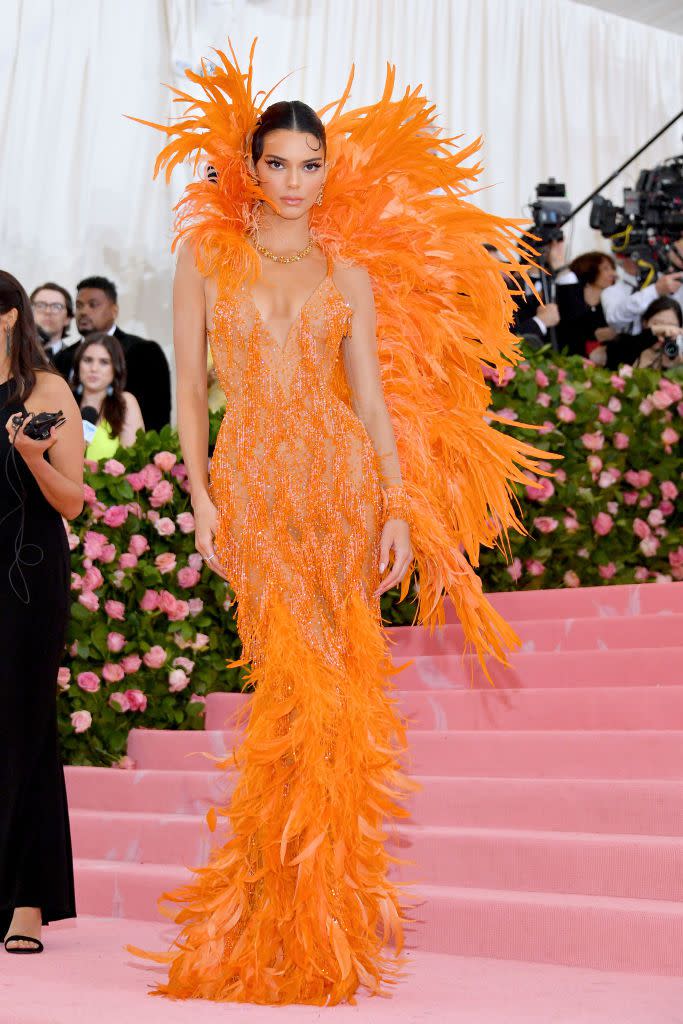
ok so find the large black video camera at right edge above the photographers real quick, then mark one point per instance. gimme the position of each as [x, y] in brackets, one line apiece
[651, 220]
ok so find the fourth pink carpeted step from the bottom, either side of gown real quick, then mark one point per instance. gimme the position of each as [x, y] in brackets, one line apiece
[601, 754]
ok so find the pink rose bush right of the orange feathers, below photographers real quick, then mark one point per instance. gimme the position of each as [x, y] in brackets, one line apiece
[610, 515]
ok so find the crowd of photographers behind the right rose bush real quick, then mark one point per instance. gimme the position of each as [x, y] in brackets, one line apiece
[594, 308]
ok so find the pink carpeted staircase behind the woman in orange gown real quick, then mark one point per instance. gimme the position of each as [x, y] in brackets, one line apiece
[549, 827]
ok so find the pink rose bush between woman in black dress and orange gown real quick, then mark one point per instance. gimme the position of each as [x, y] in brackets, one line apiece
[152, 628]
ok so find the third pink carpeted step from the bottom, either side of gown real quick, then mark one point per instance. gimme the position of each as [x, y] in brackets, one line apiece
[651, 807]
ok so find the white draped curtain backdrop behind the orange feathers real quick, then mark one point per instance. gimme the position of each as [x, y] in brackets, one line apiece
[554, 87]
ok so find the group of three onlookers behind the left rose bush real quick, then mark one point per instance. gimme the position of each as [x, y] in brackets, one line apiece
[121, 381]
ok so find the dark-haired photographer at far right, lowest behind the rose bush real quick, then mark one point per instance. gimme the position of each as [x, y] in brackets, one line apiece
[660, 344]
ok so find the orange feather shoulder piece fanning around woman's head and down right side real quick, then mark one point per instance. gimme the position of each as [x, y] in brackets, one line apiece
[397, 202]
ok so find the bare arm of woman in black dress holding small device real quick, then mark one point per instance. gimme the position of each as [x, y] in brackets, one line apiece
[61, 480]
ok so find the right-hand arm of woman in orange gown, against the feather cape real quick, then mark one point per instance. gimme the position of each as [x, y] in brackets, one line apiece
[365, 382]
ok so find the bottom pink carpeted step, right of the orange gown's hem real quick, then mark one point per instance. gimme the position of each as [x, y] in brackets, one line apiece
[604, 932]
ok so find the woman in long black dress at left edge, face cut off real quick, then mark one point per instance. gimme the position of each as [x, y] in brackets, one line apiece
[40, 483]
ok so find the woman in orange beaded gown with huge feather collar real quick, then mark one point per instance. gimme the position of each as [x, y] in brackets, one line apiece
[293, 242]
